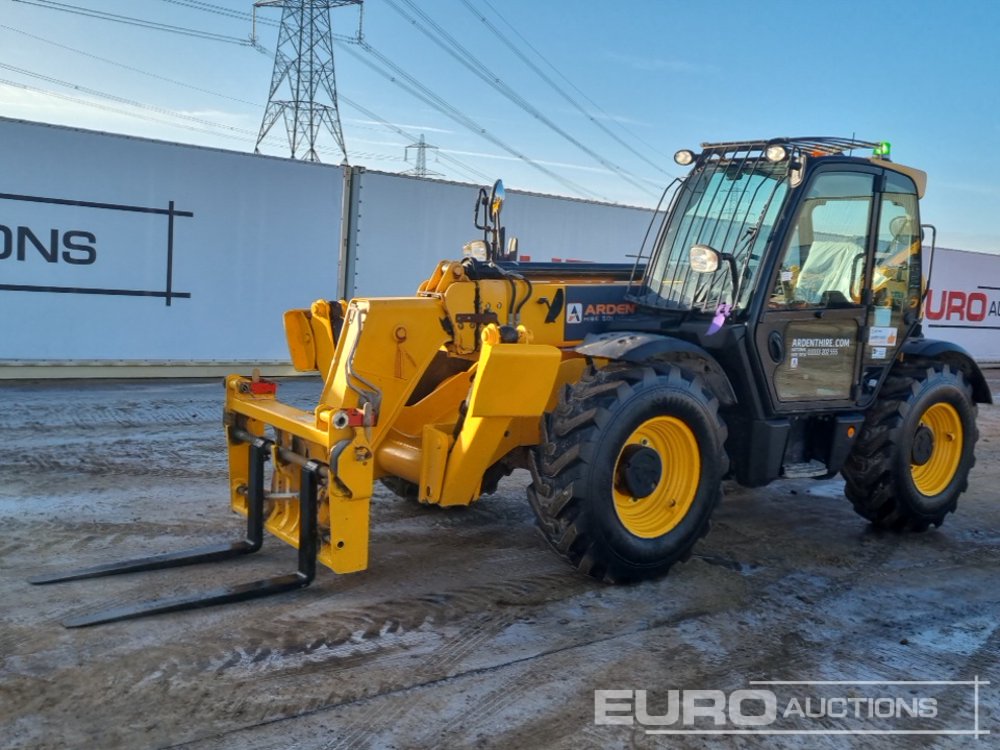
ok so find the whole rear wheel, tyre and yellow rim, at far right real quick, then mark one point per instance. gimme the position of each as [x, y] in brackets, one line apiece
[912, 459]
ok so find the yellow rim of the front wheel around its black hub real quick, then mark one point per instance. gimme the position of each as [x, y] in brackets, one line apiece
[663, 508]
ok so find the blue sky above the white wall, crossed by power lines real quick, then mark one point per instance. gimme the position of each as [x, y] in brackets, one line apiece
[636, 81]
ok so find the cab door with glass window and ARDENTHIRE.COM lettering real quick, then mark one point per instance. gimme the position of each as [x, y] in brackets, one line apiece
[809, 336]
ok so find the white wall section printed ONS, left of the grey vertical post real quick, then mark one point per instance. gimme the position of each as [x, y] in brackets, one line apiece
[252, 237]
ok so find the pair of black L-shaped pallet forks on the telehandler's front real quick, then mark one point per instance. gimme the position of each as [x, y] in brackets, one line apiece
[308, 546]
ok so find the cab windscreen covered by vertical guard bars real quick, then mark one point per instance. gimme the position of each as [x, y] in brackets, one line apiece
[729, 204]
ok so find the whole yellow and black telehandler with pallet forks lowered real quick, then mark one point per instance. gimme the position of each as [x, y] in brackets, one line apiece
[769, 328]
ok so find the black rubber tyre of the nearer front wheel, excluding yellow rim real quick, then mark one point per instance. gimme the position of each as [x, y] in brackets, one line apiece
[560, 496]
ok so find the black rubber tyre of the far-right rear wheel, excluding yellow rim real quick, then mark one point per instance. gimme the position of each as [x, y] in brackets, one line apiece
[878, 489]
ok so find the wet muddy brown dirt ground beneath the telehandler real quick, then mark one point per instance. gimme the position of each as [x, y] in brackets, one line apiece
[466, 631]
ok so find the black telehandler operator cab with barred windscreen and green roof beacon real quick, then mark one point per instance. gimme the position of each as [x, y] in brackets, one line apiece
[811, 252]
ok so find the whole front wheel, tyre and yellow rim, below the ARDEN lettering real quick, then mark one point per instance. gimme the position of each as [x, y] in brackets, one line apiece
[630, 470]
